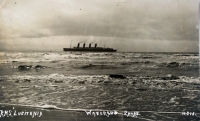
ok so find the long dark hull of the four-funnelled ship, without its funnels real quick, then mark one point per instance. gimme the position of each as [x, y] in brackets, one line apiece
[89, 49]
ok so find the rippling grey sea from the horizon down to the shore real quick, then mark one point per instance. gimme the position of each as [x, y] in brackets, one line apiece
[158, 86]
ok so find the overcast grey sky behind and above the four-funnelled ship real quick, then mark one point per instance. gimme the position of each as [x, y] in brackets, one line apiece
[126, 25]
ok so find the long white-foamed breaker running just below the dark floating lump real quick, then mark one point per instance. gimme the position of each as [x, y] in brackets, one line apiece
[148, 82]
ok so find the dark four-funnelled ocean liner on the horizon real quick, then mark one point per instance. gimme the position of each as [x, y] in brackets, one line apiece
[89, 49]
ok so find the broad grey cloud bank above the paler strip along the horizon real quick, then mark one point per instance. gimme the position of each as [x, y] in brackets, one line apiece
[159, 20]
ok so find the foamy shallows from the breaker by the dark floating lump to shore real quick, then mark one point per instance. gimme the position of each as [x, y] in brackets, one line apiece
[101, 92]
